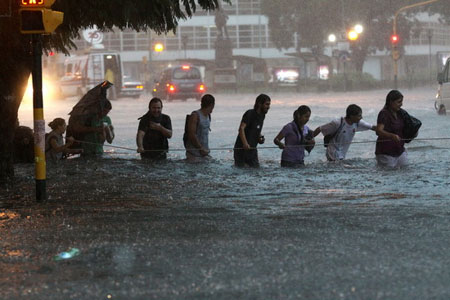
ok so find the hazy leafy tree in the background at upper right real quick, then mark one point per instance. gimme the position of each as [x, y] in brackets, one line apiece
[312, 21]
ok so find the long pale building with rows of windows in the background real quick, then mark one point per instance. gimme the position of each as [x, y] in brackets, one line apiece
[249, 34]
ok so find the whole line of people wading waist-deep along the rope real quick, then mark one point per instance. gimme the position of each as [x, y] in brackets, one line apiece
[87, 133]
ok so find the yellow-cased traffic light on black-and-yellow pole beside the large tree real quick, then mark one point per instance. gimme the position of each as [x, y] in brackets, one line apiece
[36, 16]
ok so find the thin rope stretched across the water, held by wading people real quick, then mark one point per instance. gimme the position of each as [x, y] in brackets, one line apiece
[262, 147]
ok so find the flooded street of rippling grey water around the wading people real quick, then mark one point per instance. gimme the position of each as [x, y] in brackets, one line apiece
[346, 230]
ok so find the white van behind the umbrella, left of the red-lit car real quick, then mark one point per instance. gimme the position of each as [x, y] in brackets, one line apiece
[83, 72]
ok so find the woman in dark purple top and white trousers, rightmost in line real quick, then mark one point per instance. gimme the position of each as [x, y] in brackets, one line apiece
[390, 149]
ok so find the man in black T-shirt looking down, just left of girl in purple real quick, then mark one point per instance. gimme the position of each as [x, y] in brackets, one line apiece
[249, 133]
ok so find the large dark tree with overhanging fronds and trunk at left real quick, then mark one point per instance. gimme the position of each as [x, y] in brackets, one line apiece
[15, 66]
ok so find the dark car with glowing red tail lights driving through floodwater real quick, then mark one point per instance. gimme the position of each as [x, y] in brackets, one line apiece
[180, 82]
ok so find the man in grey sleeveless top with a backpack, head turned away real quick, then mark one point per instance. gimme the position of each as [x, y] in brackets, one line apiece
[198, 127]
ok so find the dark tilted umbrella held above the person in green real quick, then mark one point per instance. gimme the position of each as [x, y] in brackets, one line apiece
[93, 101]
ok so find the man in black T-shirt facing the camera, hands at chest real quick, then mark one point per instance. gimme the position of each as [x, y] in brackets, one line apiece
[154, 131]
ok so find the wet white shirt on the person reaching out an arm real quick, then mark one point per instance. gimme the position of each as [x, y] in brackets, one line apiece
[339, 144]
